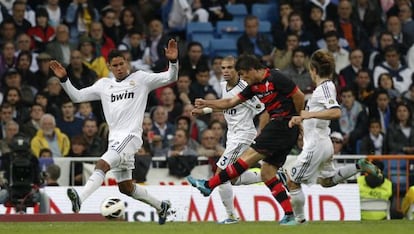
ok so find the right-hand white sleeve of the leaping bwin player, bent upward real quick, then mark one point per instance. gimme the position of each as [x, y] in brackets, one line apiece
[156, 80]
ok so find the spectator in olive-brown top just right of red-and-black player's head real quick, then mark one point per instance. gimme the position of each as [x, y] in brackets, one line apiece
[283, 57]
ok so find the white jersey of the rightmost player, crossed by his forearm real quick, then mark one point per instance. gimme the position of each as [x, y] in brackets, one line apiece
[323, 97]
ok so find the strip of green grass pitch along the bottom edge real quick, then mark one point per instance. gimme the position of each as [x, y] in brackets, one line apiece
[364, 227]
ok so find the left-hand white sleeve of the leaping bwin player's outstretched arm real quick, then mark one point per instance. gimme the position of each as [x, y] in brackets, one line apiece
[90, 93]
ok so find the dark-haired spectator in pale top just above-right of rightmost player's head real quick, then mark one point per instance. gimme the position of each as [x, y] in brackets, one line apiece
[340, 54]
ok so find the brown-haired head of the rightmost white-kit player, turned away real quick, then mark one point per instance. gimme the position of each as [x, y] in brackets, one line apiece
[322, 64]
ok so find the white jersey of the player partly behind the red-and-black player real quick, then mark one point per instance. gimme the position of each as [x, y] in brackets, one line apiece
[239, 119]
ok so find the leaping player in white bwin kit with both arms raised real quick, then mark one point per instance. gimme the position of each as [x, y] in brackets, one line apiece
[123, 98]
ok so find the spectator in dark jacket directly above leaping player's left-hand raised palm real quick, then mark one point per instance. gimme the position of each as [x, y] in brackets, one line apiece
[60, 49]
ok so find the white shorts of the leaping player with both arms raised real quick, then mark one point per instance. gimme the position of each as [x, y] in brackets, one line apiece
[121, 156]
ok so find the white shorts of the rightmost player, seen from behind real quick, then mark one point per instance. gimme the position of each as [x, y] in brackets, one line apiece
[314, 162]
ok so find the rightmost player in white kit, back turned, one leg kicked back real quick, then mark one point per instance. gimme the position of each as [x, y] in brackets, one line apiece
[315, 162]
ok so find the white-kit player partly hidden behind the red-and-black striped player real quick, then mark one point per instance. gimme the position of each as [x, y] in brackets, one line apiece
[241, 132]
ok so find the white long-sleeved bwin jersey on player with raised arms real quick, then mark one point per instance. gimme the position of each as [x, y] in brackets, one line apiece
[123, 102]
